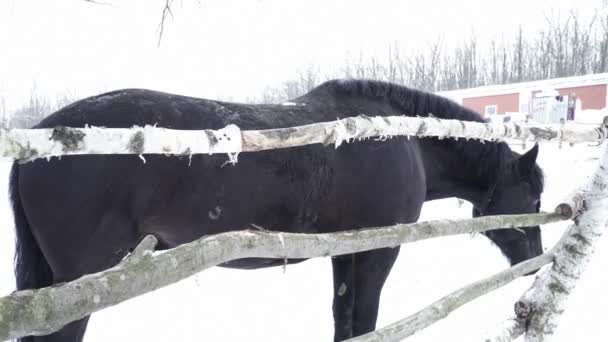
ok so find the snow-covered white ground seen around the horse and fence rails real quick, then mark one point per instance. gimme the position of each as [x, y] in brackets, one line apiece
[269, 305]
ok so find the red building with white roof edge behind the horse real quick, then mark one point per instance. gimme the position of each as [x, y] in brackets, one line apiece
[590, 90]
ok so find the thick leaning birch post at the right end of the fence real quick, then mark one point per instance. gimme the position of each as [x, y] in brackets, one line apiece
[543, 304]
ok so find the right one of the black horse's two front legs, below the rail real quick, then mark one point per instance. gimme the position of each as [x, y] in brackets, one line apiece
[370, 272]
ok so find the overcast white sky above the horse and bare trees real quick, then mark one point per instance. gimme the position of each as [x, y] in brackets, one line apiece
[227, 48]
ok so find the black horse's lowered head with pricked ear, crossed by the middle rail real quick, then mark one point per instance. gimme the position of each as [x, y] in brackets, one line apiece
[516, 191]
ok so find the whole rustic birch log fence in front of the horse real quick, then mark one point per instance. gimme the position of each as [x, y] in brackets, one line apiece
[43, 311]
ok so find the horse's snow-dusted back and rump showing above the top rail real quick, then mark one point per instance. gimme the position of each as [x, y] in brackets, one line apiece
[138, 107]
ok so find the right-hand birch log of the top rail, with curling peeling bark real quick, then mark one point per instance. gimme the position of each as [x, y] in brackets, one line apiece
[364, 127]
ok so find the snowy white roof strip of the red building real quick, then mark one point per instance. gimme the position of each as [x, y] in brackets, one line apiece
[564, 82]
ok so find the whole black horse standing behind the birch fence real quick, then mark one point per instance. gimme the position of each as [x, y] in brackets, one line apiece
[82, 214]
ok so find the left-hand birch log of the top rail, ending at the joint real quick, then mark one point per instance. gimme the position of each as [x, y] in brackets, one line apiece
[30, 144]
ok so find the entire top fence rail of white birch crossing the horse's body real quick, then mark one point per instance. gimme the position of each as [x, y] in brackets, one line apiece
[43, 143]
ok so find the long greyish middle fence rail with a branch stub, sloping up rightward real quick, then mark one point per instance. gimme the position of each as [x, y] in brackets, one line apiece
[46, 310]
